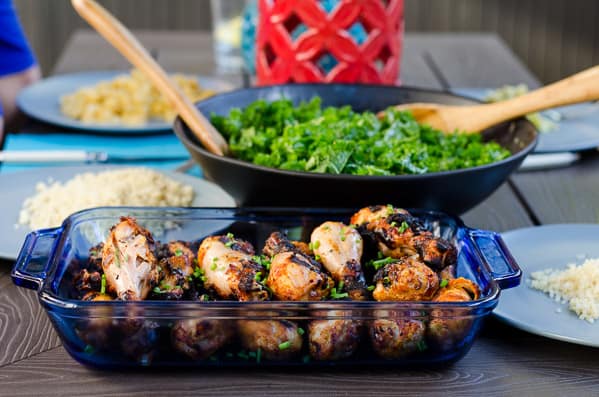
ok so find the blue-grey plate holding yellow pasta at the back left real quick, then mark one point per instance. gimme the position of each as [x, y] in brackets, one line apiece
[42, 101]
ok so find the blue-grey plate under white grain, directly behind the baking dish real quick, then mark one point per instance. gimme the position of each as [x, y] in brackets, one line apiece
[15, 187]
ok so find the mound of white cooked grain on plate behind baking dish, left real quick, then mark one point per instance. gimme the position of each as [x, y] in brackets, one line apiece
[54, 201]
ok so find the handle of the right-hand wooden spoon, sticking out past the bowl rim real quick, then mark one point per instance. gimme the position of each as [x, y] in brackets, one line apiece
[581, 87]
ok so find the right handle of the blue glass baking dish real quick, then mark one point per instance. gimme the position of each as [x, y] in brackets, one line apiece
[498, 259]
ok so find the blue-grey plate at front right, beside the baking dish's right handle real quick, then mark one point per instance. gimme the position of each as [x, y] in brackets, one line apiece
[539, 248]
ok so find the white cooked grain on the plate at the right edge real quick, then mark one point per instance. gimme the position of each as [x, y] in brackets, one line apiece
[576, 285]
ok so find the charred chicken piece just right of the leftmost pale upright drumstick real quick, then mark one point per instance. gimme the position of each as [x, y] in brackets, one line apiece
[175, 270]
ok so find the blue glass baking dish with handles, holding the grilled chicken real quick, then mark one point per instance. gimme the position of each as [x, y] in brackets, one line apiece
[144, 333]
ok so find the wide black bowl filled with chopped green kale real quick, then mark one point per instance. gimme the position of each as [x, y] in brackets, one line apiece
[450, 191]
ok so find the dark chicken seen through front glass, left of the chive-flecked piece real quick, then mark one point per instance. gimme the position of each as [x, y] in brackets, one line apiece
[198, 338]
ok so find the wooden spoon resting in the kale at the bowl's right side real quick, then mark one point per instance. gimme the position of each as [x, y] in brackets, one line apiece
[581, 87]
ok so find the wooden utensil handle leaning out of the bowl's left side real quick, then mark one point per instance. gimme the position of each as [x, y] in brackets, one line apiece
[122, 39]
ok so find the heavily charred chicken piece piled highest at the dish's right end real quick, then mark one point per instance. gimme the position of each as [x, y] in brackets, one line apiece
[398, 234]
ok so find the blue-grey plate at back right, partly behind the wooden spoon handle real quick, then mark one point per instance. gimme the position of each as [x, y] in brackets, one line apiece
[578, 130]
